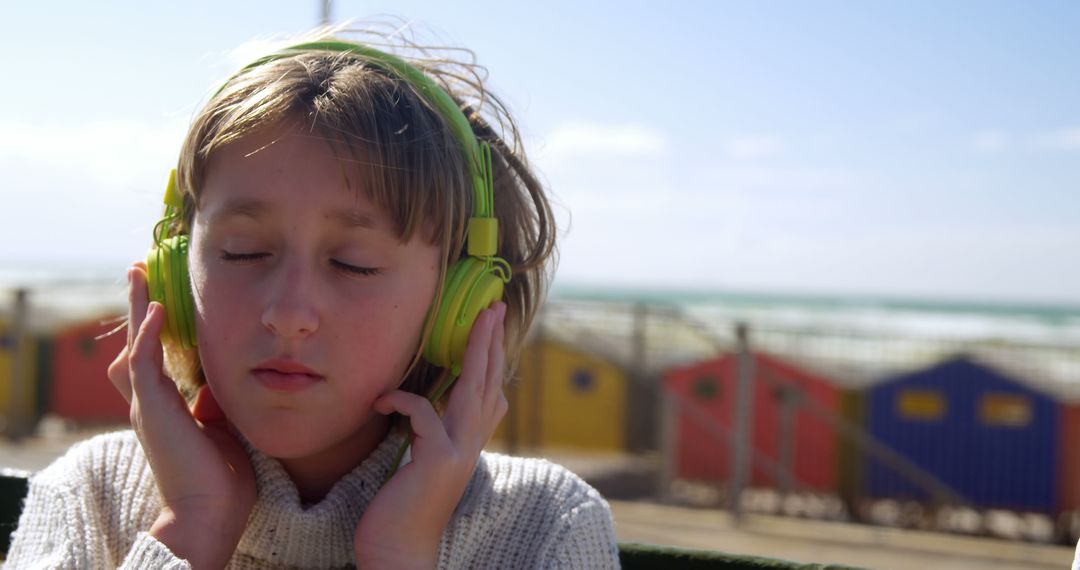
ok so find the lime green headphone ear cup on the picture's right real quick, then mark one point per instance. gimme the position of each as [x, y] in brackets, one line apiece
[471, 287]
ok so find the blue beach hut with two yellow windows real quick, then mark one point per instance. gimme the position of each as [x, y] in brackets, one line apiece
[994, 438]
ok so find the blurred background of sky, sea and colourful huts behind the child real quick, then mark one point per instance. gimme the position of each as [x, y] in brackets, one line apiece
[818, 260]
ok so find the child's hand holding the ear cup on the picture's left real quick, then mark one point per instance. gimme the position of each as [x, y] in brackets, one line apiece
[205, 477]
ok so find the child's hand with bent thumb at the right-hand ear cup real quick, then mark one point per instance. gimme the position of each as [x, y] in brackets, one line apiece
[406, 522]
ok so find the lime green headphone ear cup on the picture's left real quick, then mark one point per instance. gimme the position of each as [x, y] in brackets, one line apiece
[170, 284]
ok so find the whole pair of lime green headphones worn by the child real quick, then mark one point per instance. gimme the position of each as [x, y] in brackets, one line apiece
[470, 286]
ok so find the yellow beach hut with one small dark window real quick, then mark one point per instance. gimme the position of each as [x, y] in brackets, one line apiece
[566, 398]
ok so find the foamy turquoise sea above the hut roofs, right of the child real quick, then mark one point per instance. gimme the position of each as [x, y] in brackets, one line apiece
[855, 340]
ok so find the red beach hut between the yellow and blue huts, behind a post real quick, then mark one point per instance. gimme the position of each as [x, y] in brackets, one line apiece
[789, 431]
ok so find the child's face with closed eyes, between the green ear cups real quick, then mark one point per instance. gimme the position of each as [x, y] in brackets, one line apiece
[292, 267]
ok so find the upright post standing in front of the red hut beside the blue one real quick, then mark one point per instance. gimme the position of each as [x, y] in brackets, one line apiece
[744, 412]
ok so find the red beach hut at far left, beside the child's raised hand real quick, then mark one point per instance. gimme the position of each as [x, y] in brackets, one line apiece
[80, 389]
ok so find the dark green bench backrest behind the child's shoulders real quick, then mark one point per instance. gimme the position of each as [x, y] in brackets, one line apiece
[13, 488]
